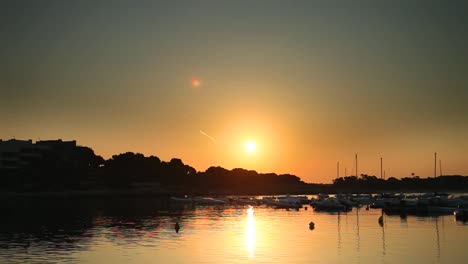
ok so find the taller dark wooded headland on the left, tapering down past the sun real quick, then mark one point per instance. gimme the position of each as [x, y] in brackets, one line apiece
[81, 169]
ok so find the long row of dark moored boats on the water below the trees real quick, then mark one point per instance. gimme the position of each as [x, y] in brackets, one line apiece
[417, 204]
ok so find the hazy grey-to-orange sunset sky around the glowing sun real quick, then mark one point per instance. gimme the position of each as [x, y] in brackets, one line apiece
[310, 83]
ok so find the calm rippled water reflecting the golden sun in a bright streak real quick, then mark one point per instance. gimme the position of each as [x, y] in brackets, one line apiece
[142, 231]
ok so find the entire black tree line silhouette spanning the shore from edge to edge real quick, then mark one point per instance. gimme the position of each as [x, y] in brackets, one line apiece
[81, 169]
